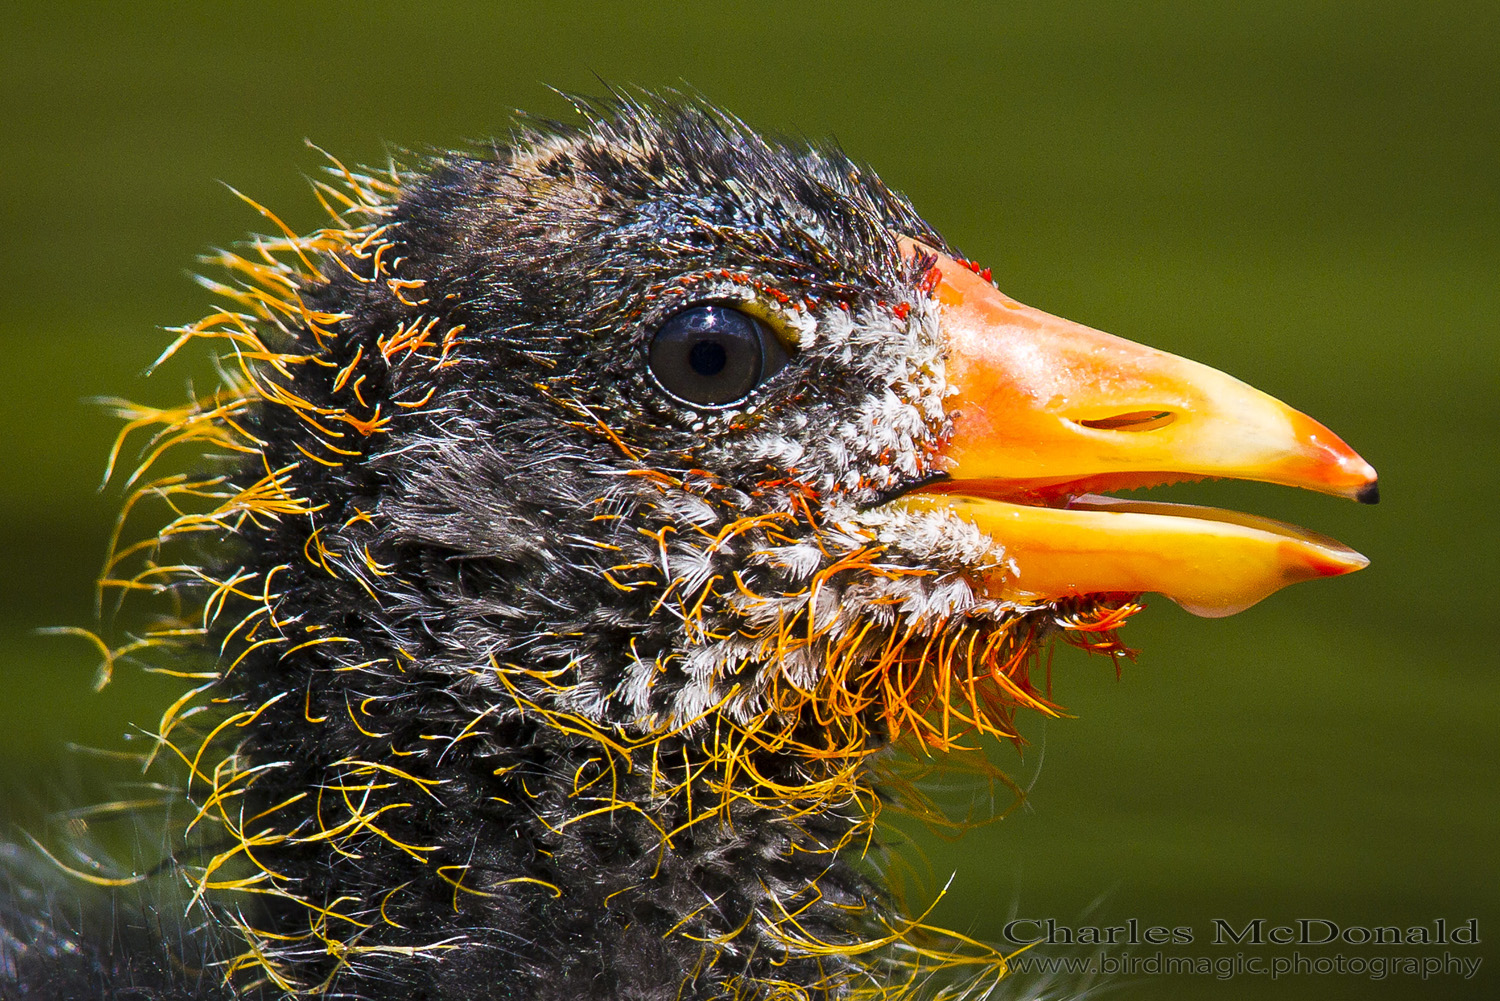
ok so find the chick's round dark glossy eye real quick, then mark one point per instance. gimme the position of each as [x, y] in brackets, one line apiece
[715, 356]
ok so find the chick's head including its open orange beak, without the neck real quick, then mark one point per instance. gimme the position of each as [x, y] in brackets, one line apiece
[728, 418]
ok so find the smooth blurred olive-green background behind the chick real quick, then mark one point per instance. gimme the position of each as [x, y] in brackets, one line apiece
[1303, 194]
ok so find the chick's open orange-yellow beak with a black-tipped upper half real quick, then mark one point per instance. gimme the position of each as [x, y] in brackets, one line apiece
[1048, 415]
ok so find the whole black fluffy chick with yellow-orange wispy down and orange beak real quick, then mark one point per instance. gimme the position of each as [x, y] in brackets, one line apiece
[581, 525]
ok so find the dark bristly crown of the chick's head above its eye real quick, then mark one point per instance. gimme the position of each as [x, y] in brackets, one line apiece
[682, 190]
